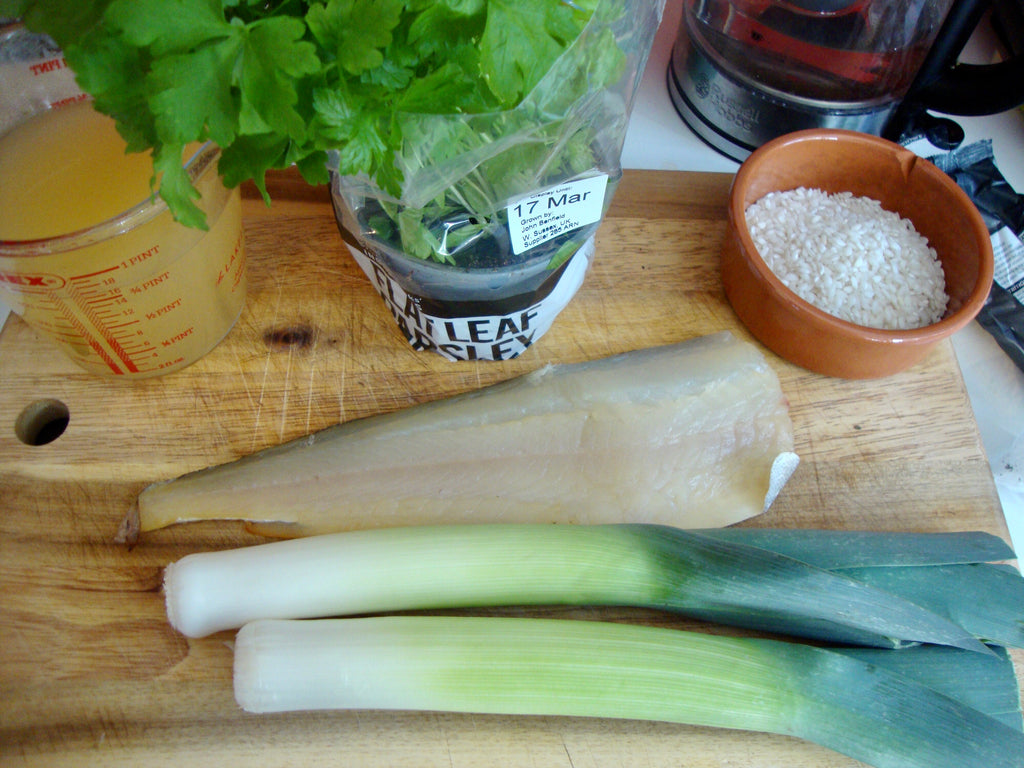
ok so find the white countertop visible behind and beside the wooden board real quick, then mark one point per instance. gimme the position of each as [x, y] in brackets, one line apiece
[659, 140]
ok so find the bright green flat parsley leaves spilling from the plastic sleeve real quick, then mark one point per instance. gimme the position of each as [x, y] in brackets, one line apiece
[282, 82]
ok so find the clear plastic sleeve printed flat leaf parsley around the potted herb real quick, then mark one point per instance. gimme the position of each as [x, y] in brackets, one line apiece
[493, 232]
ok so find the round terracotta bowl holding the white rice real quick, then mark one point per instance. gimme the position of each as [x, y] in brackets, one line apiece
[902, 182]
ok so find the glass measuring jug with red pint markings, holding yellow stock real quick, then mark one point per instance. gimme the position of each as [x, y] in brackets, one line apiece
[132, 293]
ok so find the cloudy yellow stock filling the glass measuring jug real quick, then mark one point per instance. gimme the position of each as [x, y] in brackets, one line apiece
[148, 302]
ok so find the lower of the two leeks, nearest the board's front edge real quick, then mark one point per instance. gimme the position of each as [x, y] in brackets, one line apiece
[594, 669]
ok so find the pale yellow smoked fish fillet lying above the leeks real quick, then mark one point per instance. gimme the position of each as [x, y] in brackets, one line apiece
[696, 435]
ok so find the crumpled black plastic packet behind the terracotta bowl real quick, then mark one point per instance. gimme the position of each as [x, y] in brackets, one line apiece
[974, 169]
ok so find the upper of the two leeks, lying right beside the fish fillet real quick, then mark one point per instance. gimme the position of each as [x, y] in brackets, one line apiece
[383, 571]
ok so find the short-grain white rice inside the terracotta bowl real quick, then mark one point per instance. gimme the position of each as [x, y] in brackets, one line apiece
[850, 258]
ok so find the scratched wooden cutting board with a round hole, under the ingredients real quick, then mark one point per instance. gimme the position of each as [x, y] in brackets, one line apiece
[92, 674]
